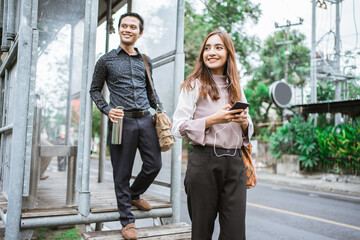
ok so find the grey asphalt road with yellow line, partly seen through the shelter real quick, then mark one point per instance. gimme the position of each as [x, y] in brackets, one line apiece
[275, 212]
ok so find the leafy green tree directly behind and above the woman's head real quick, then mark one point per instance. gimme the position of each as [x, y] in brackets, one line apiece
[228, 15]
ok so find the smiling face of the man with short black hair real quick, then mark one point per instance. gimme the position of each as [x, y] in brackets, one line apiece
[129, 30]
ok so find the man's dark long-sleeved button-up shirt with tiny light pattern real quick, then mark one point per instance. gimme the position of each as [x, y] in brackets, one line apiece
[126, 78]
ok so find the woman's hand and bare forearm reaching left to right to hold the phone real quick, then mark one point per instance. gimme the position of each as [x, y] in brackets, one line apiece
[223, 115]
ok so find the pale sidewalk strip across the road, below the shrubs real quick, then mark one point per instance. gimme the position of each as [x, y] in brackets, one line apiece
[349, 185]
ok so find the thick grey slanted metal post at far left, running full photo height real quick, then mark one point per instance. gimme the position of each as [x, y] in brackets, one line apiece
[20, 119]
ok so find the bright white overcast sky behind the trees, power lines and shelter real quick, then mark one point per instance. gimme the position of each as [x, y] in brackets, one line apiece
[282, 10]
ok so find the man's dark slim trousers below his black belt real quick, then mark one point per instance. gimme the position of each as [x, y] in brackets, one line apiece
[138, 133]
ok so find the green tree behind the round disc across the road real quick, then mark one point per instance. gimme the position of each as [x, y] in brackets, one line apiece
[272, 68]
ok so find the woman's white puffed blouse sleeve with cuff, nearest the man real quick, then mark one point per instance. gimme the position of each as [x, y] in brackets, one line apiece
[183, 122]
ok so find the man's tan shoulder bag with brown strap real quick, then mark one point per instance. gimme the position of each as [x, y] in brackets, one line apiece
[166, 139]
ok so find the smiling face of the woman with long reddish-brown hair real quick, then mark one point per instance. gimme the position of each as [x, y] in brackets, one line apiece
[215, 55]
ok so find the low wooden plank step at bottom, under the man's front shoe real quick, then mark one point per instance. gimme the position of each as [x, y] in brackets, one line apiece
[175, 231]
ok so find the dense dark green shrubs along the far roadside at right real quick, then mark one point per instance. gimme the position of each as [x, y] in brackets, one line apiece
[337, 147]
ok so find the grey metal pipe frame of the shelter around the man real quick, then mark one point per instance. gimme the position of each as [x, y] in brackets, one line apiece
[21, 46]
